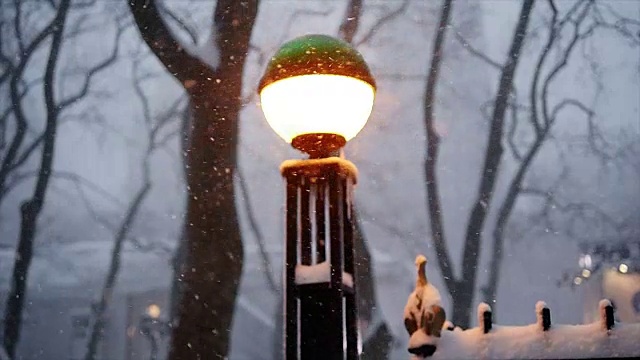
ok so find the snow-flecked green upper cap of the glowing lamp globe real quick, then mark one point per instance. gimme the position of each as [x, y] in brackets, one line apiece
[316, 54]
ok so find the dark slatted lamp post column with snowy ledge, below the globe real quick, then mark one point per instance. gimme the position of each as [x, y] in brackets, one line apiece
[320, 292]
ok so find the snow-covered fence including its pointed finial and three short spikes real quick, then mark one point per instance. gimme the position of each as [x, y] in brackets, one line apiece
[424, 318]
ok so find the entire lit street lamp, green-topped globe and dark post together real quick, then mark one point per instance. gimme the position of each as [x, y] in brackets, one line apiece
[317, 93]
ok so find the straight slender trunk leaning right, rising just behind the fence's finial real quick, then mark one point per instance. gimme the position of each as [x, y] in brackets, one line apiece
[493, 156]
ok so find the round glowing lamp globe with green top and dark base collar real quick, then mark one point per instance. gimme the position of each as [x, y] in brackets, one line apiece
[317, 93]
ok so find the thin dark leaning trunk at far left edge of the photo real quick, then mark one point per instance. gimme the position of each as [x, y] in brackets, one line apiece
[30, 209]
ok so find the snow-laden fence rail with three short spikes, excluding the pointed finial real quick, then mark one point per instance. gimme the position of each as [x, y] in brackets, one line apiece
[542, 340]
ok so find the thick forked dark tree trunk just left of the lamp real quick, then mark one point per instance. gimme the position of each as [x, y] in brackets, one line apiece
[214, 252]
